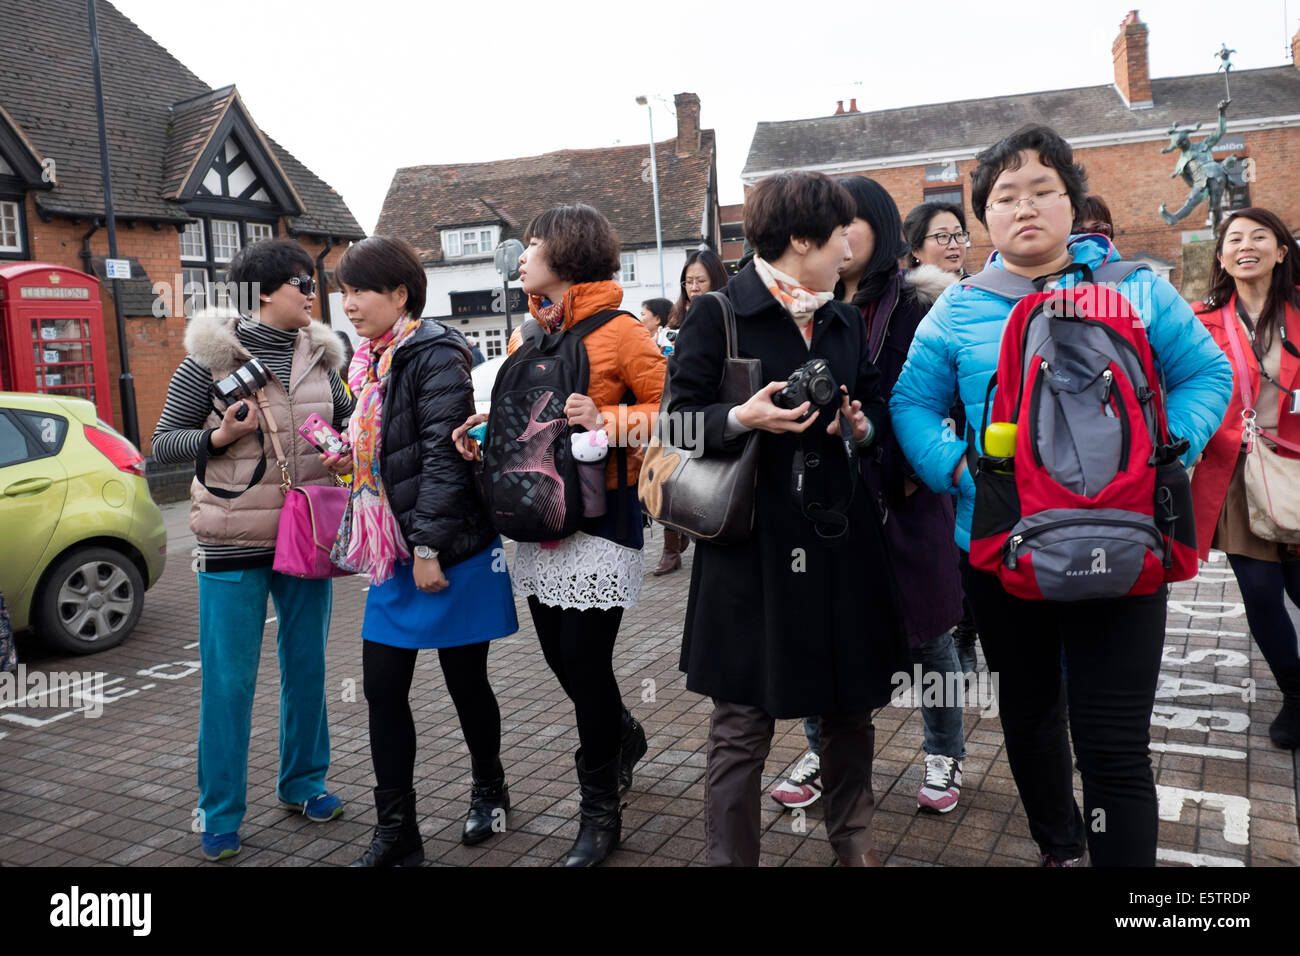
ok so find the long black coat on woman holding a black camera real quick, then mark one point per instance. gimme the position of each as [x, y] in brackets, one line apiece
[788, 622]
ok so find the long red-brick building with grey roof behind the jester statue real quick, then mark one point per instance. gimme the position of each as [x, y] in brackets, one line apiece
[1117, 131]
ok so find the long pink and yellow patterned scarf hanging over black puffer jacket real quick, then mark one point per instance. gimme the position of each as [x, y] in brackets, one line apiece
[370, 539]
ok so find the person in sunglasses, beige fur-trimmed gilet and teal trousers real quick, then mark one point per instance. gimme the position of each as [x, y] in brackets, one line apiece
[236, 514]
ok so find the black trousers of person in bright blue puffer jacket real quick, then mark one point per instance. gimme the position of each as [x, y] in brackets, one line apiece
[1112, 652]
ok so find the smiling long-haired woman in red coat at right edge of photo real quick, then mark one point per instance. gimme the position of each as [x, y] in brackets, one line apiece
[1255, 300]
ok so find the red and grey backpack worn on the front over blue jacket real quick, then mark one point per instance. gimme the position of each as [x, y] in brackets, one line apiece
[1095, 503]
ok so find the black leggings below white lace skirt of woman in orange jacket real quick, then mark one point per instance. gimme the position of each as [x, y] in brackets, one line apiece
[579, 647]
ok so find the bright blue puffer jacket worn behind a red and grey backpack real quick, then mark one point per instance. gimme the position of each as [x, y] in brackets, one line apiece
[956, 348]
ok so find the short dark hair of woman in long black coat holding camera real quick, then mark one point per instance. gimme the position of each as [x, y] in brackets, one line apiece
[795, 206]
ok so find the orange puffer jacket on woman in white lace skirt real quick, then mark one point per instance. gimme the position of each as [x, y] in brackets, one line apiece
[622, 357]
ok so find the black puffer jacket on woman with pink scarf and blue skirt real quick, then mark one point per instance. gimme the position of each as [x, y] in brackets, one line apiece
[430, 487]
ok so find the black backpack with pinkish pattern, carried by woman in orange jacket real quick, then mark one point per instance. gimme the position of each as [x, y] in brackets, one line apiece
[527, 474]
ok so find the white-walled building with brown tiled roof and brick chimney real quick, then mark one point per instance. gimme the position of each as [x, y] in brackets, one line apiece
[457, 215]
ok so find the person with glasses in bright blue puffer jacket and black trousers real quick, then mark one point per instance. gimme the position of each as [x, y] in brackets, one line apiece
[1026, 191]
